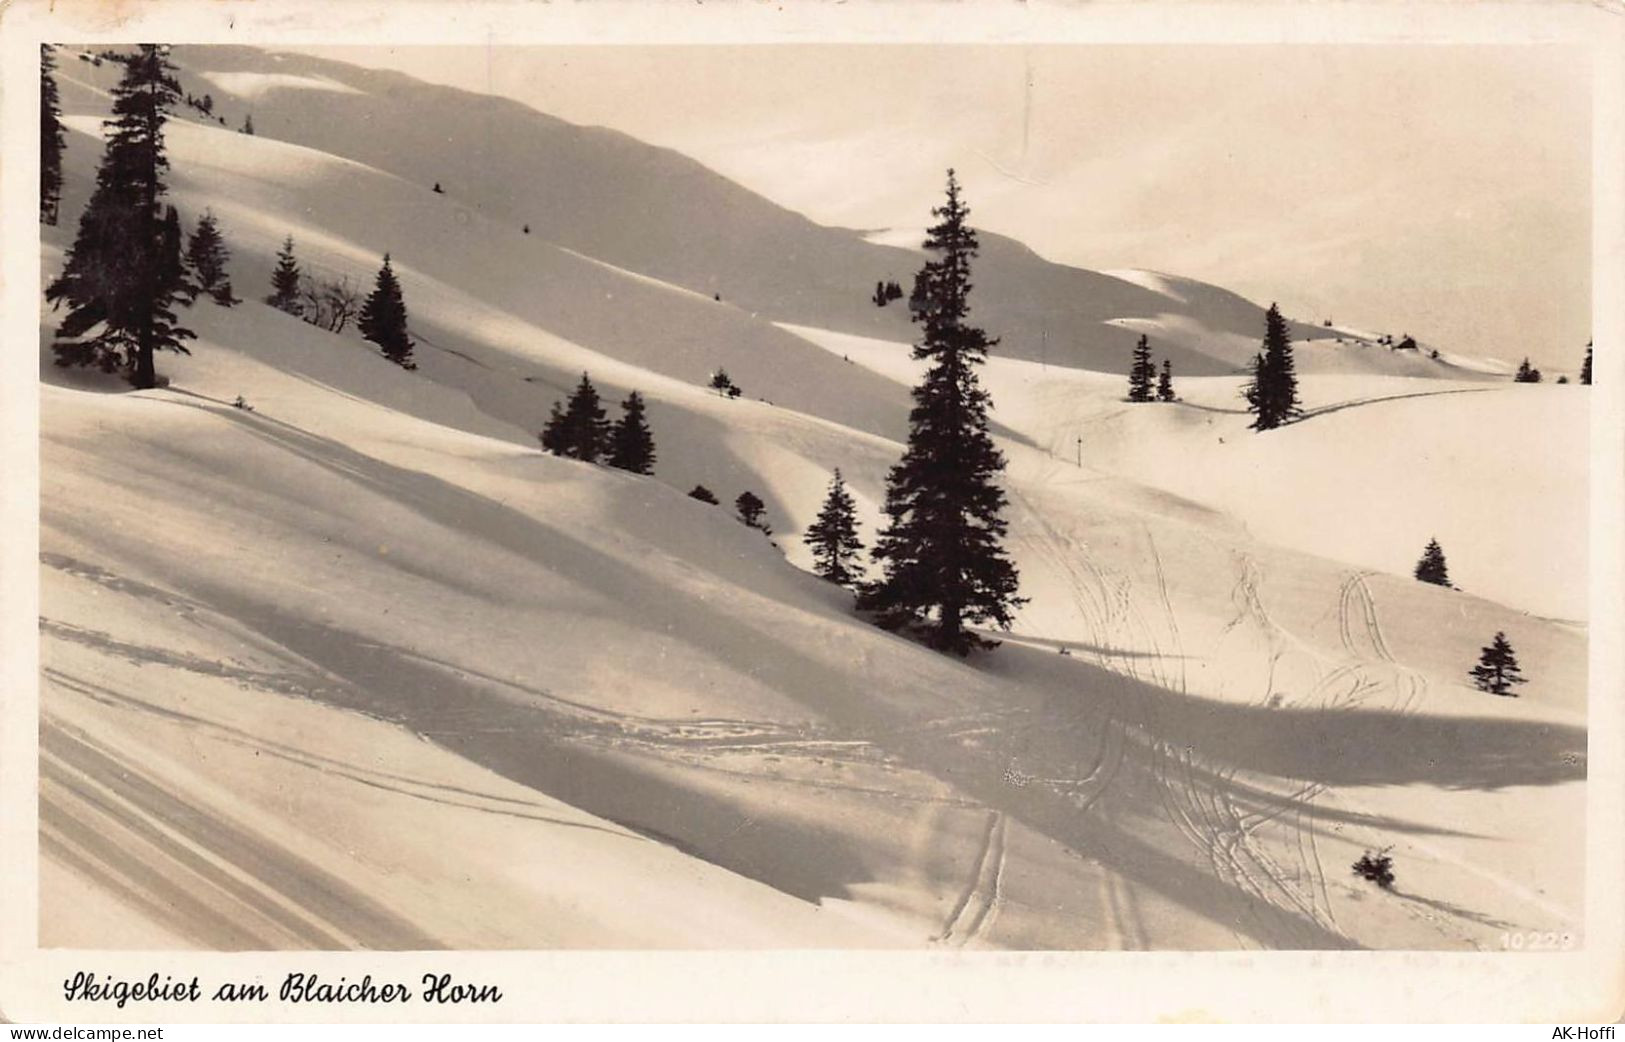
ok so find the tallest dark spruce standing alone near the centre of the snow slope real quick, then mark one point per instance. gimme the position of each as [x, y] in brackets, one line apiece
[942, 557]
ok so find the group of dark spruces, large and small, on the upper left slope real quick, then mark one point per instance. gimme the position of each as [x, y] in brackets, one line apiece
[128, 269]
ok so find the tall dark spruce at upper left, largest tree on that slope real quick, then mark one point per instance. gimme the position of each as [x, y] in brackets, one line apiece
[124, 272]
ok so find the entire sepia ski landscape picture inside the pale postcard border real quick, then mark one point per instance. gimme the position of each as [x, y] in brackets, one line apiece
[912, 497]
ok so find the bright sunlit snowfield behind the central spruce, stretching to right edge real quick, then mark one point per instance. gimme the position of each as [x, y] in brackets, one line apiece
[1436, 461]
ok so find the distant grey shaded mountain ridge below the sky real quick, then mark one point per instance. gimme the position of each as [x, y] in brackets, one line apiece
[659, 214]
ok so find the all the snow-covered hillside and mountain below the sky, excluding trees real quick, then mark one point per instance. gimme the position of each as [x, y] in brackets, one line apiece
[362, 667]
